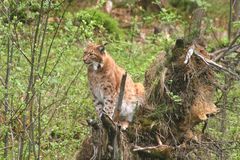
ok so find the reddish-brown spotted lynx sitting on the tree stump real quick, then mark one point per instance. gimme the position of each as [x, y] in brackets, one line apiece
[104, 77]
